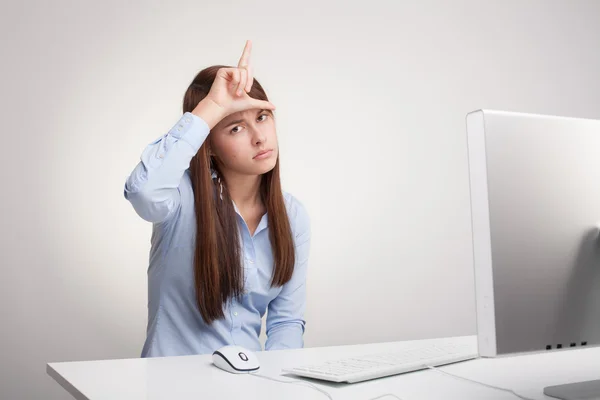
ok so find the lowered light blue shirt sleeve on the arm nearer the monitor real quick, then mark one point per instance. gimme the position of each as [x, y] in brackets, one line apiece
[285, 316]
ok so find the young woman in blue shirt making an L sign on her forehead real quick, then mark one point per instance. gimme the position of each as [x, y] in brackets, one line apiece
[227, 243]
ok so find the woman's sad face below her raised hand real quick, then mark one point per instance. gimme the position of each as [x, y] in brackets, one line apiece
[237, 139]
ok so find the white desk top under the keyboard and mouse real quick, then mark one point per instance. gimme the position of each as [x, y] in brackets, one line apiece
[195, 378]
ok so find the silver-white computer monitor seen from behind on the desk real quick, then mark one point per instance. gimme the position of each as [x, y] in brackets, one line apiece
[535, 203]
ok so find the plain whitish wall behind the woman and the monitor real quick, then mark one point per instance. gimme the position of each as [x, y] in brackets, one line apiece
[371, 104]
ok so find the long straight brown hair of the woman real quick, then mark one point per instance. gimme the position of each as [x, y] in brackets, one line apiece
[217, 262]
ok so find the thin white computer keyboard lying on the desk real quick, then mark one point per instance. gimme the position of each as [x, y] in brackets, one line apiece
[357, 369]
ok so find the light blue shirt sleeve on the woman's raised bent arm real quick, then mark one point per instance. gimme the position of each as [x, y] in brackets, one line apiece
[153, 186]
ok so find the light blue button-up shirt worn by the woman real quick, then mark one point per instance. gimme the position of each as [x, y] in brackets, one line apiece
[160, 190]
